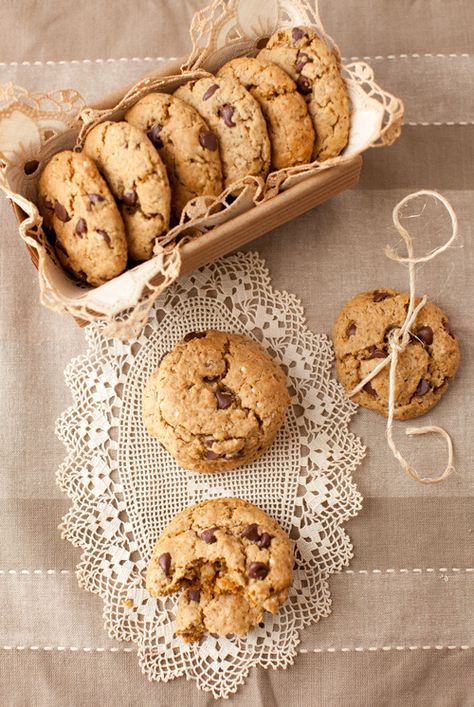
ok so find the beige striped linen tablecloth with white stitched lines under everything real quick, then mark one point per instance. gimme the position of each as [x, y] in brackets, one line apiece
[402, 629]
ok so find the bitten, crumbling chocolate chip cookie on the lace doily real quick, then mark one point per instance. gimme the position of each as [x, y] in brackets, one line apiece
[232, 561]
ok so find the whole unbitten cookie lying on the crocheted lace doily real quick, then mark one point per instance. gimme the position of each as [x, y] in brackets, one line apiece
[216, 401]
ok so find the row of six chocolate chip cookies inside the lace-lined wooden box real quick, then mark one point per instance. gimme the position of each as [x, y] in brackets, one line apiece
[109, 204]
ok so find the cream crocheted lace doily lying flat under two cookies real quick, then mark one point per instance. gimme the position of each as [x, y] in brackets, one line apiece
[125, 488]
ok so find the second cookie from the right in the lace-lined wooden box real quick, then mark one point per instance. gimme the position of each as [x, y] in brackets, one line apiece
[289, 125]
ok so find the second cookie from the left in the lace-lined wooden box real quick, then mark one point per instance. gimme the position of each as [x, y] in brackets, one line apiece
[138, 180]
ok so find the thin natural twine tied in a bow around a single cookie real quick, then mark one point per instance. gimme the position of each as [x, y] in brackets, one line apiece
[399, 338]
